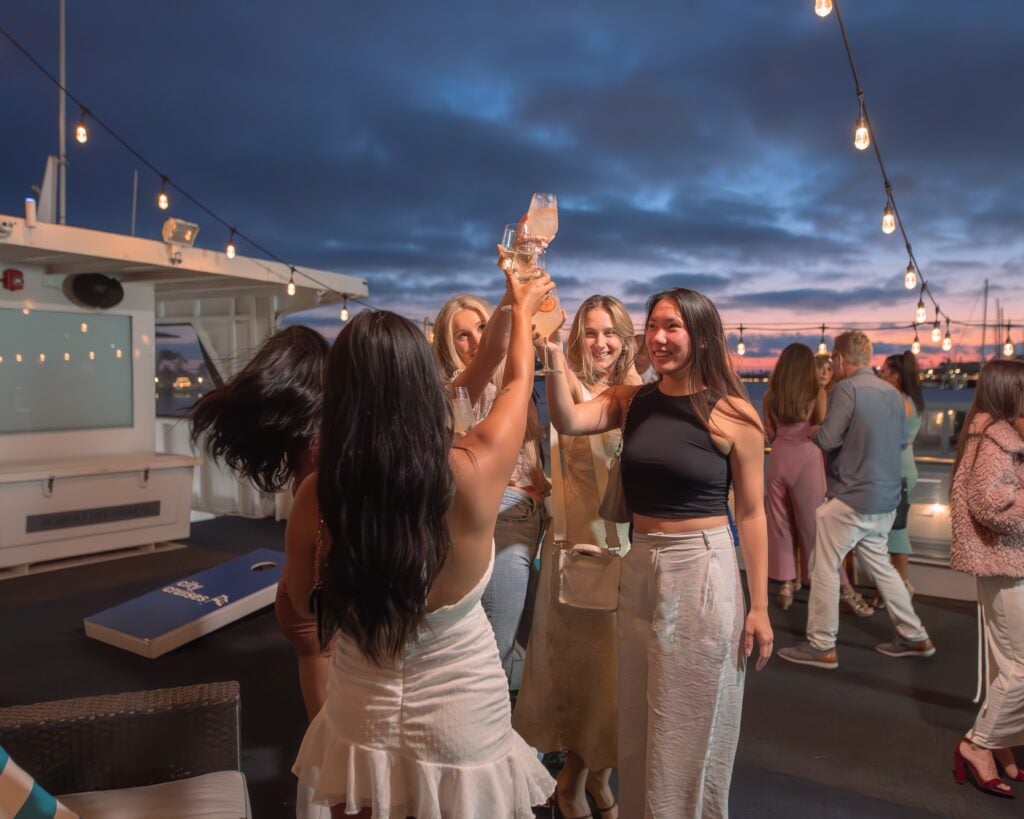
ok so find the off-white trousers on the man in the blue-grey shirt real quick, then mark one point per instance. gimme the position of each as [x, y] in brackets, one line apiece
[839, 531]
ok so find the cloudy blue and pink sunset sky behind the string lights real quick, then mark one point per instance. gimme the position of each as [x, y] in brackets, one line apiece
[704, 145]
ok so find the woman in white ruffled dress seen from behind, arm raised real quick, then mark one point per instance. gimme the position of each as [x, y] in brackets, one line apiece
[417, 720]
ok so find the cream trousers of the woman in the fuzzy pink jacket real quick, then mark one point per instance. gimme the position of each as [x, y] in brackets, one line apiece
[1001, 721]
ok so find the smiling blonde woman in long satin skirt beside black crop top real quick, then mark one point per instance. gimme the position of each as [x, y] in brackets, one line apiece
[556, 711]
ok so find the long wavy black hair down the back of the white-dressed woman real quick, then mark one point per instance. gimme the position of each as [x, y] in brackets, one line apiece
[385, 486]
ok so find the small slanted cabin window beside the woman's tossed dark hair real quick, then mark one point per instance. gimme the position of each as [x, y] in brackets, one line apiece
[185, 370]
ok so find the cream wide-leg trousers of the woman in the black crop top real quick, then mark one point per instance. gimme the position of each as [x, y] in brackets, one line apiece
[680, 675]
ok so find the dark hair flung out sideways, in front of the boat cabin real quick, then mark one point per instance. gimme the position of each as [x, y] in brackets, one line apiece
[264, 422]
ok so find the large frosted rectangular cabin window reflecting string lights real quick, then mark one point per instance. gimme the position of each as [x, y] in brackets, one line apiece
[65, 371]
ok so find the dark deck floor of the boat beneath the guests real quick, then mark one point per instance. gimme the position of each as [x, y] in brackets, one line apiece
[874, 739]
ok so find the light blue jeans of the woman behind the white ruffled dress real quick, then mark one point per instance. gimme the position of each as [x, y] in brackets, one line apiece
[521, 523]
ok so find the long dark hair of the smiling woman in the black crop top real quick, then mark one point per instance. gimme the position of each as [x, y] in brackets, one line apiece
[711, 366]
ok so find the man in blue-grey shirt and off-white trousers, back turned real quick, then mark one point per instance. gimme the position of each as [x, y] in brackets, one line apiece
[864, 434]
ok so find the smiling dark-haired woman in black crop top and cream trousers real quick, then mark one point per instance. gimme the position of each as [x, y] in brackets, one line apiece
[684, 635]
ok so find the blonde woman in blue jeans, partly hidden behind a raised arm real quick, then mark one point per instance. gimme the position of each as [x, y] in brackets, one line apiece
[471, 340]
